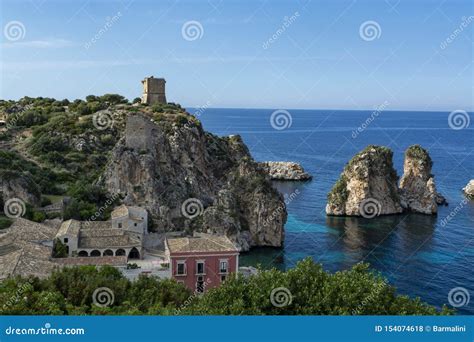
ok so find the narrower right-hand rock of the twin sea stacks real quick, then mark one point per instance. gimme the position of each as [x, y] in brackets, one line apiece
[417, 186]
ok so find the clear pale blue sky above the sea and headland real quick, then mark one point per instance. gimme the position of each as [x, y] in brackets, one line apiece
[339, 54]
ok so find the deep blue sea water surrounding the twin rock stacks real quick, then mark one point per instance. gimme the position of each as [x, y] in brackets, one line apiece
[418, 255]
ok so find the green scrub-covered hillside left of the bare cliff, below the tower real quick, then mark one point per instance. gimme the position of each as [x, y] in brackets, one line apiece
[61, 147]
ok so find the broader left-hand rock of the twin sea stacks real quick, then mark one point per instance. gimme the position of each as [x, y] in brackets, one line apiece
[367, 186]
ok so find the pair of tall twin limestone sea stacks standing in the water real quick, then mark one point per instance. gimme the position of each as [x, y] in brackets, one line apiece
[368, 185]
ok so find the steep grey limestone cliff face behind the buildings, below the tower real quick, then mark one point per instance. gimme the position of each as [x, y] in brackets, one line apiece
[191, 180]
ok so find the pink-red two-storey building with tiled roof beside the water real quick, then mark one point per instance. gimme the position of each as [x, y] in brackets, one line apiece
[203, 261]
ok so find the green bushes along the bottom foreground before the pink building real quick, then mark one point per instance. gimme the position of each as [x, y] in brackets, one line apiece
[305, 290]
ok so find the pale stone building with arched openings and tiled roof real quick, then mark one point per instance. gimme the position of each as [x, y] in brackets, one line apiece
[121, 236]
